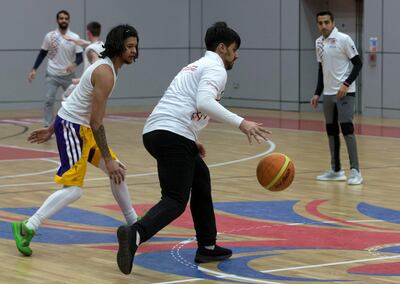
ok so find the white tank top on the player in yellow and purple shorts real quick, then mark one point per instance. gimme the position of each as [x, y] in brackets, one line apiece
[78, 106]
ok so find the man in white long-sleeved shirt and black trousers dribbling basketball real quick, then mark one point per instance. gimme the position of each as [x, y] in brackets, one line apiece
[170, 135]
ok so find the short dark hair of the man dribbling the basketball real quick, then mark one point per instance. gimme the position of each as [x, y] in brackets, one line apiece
[220, 33]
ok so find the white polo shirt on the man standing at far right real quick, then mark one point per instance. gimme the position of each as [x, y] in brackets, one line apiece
[335, 53]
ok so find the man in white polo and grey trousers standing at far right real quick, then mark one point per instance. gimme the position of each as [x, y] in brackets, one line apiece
[339, 66]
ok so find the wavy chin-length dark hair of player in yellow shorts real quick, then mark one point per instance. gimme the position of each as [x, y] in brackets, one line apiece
[115, 40]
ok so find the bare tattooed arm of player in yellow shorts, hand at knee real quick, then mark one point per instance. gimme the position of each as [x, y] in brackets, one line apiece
[103, 81]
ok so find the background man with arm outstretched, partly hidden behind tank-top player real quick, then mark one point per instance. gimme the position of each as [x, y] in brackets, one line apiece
[93, 49]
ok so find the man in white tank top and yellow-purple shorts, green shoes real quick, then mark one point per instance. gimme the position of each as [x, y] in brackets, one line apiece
[81, 138]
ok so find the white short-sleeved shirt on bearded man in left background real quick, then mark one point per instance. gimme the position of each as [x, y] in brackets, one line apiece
[61, 52]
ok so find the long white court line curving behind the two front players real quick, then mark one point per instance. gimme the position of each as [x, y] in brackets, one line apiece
[269, 150]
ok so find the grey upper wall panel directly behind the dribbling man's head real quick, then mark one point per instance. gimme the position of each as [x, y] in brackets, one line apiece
[256, 21]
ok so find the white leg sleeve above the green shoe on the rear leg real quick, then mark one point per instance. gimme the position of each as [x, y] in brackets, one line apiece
[54, 203]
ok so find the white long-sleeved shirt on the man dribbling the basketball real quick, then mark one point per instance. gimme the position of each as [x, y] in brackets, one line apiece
[193, 86]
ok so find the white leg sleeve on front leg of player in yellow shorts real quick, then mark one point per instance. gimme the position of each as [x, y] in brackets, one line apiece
[122, 196]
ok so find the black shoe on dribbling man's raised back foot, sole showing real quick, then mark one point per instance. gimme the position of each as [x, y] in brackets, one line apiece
[127, 248]
